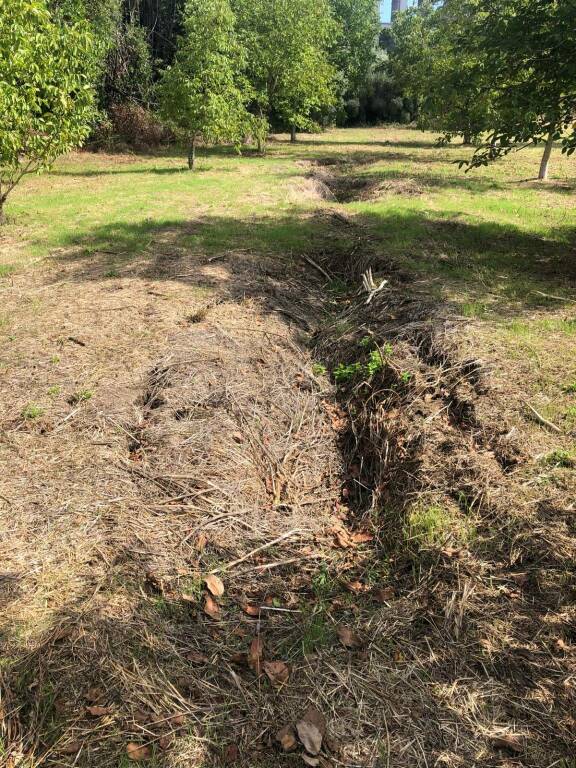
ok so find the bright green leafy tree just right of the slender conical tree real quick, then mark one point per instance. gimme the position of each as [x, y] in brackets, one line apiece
[287, 43]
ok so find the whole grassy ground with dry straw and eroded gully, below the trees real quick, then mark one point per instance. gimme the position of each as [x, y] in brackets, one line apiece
[169, 342]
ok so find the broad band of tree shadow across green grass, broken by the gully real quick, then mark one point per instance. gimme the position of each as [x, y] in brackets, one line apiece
[511, 266]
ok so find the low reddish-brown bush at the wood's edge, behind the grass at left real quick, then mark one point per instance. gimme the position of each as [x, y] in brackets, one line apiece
[130, 125]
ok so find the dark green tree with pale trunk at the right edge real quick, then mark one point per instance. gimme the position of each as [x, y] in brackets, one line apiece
[528, 53]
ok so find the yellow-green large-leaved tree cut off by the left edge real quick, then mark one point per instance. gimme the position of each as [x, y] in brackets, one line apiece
[46, 89]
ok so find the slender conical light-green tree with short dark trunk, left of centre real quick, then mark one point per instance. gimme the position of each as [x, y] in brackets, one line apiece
[203, 95]
